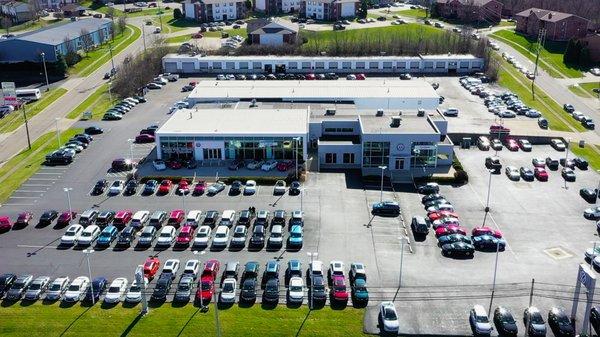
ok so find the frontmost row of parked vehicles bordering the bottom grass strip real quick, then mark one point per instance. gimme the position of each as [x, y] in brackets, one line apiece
[200, 281]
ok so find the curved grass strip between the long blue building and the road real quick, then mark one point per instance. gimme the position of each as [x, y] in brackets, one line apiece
[96, 58]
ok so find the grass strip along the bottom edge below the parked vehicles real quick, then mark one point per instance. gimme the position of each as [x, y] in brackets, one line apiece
[182, 321]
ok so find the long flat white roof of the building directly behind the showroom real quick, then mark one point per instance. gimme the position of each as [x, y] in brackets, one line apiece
[321, 90]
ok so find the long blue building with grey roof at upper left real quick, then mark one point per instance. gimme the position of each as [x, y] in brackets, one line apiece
[54, 40]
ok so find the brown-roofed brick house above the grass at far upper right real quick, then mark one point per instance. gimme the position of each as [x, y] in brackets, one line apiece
[559, 26]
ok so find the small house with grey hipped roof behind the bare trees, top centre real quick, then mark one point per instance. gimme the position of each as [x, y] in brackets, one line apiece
[272, 32]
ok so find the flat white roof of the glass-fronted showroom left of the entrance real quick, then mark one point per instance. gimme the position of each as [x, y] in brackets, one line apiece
[234, 122]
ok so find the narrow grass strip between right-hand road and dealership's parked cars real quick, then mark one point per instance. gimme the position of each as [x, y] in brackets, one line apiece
[513, 80]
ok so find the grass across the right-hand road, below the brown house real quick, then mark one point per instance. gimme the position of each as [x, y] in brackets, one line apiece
[551, 55]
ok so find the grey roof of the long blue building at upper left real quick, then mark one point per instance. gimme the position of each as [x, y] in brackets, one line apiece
[55, 34]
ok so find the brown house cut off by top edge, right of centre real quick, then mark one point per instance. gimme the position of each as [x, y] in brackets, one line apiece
[470, 10]
